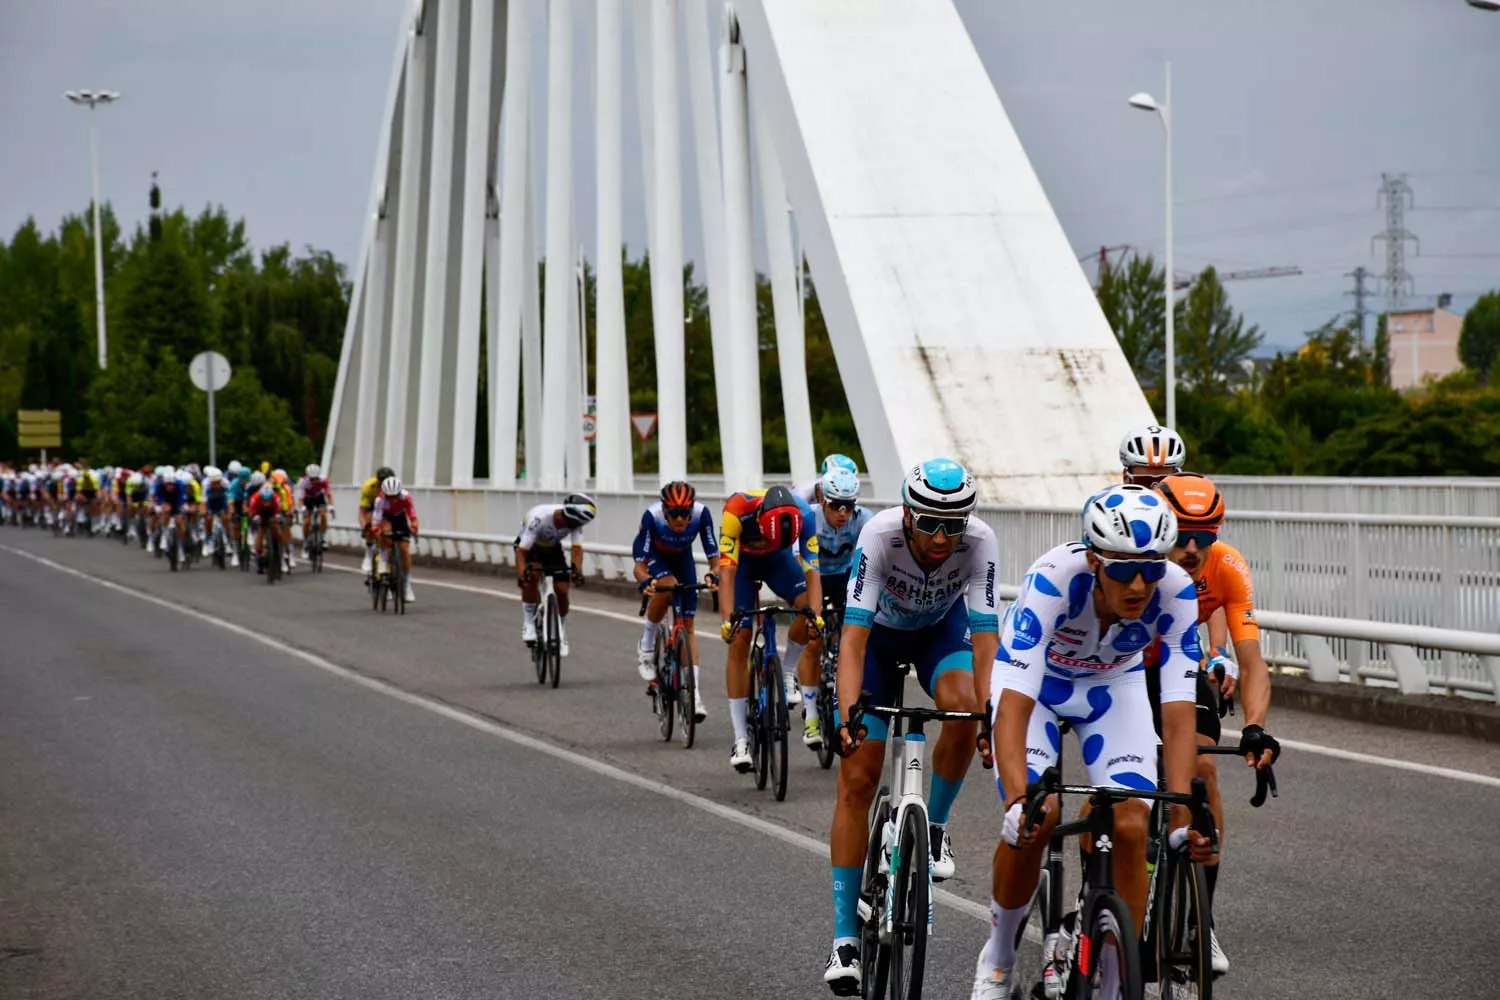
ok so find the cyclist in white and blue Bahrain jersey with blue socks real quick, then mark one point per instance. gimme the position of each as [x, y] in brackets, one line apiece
[922, 593]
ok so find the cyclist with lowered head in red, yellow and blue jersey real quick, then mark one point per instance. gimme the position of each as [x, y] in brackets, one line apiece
[766, 537]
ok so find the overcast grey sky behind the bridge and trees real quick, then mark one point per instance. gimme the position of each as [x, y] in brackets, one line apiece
[1288, 112]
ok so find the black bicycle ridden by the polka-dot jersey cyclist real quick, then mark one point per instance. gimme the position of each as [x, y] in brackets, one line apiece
[1102, 926]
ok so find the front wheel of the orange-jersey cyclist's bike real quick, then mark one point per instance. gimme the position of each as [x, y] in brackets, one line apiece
[1181, 930]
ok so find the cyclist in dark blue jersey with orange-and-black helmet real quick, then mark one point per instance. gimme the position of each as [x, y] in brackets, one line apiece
[664, 552]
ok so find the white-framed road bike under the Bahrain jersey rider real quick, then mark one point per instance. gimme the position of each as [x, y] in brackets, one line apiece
[896, 888]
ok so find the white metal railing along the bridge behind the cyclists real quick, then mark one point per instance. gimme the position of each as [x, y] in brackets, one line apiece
[1405, 600]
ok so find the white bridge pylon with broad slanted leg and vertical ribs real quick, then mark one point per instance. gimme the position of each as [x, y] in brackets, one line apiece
[961, 320]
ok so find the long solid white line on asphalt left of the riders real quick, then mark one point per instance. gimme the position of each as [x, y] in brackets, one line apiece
[496, 729]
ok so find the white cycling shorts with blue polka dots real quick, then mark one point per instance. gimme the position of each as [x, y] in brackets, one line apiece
[1112, 717]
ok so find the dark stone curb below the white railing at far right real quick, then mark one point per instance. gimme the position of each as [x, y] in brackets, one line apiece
[1388, 707]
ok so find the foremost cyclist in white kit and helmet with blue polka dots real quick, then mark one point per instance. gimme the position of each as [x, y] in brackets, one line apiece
[1072, 651]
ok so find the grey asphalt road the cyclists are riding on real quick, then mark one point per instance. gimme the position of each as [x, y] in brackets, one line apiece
[328, 803]
